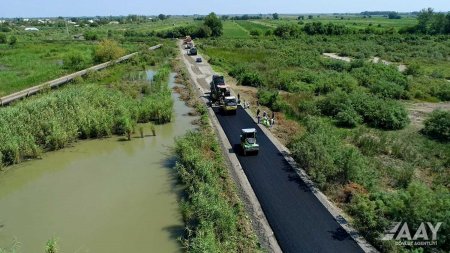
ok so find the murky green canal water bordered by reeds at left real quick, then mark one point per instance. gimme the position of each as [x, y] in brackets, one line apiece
[98, 196]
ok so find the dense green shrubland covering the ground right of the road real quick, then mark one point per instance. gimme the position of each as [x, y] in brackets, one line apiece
[357, 145]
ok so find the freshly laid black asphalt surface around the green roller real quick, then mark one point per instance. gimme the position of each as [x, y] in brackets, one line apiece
[299, 220]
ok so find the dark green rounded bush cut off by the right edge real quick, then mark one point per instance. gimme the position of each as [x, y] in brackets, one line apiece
[437, 125]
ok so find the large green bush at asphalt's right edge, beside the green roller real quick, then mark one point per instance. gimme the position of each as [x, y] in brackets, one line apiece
[327, 159]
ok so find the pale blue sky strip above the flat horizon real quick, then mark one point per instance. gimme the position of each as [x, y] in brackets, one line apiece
[50, 8]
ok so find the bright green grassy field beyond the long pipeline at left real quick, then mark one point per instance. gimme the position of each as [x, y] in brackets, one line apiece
[41, 56]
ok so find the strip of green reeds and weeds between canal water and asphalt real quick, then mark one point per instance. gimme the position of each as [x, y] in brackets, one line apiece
[214, 216]
